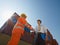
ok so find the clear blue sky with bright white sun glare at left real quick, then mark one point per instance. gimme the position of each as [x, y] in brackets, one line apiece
[46, 10]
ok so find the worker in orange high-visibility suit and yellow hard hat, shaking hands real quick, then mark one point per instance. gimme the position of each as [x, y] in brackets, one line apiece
[18, 30]
